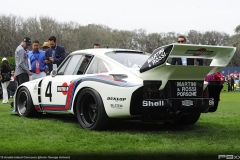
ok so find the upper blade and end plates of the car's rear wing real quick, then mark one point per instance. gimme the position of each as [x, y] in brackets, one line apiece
[220, 55]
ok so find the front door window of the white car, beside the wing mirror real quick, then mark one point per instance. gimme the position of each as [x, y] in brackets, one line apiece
[71, 65]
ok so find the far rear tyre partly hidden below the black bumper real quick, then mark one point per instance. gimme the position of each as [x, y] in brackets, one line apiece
[186, 119]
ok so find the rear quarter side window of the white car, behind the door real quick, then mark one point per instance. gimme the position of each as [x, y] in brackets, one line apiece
[98, 66]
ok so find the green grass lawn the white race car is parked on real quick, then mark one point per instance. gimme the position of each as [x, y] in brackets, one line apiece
[60, 135]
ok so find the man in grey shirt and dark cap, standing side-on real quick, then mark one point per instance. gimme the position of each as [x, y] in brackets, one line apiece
[22, 62]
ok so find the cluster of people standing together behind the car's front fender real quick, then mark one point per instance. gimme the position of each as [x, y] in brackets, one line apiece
[37, 63]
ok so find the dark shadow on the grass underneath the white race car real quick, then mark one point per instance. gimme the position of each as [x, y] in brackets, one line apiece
[133, 125]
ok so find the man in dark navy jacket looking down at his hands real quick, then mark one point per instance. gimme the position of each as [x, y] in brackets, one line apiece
[54, 55]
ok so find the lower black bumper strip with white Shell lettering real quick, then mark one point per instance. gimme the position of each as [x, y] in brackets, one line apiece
[185, 105]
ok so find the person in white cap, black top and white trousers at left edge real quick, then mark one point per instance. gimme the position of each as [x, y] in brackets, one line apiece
[6, 77]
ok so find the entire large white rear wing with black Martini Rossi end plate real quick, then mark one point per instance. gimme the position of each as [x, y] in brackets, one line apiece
[157, 68]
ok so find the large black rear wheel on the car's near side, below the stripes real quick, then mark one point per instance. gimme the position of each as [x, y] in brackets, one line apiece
[90, 110]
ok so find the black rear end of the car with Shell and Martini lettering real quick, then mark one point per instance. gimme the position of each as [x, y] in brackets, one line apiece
[183, 96]
